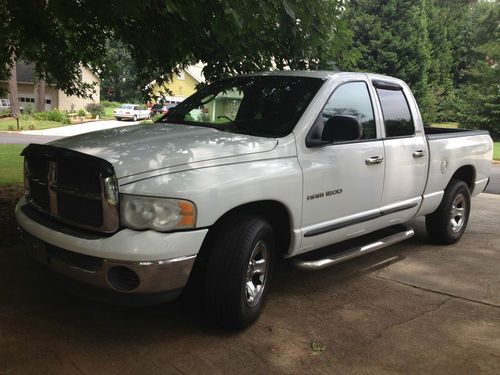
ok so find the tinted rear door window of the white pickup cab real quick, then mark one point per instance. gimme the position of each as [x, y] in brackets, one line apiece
[397, 115]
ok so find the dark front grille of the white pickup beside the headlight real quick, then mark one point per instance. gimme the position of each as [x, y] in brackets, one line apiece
[72, 187]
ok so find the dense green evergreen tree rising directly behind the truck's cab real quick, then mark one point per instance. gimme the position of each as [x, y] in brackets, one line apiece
[392, 38]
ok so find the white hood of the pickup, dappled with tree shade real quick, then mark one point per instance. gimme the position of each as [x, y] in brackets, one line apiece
[144, 148]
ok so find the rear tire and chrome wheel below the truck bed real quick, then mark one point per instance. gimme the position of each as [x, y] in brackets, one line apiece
[447, 224]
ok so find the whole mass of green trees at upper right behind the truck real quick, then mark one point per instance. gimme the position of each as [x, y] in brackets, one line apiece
[447, 50]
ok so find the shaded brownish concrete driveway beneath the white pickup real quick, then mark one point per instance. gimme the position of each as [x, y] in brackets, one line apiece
[410, 308]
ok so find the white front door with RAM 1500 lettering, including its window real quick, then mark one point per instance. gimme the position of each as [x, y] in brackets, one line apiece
[343, 180]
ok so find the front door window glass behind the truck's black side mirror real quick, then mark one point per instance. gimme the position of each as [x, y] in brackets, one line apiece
[352, 99]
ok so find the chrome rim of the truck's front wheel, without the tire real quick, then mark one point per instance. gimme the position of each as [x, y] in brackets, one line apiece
[256, 276]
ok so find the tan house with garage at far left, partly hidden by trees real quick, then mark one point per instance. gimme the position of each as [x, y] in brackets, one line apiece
[54, 98]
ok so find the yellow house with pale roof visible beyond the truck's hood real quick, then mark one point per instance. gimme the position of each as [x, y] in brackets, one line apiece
[180, 86]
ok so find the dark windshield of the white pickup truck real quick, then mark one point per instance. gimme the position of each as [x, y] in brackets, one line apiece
[267, 106]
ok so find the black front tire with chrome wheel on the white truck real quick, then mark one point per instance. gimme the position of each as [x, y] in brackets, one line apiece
[244, 246]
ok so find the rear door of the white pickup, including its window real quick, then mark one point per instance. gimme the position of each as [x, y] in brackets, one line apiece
[406, 154]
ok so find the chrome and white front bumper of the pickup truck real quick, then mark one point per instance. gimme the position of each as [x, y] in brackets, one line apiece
[129, 261]
